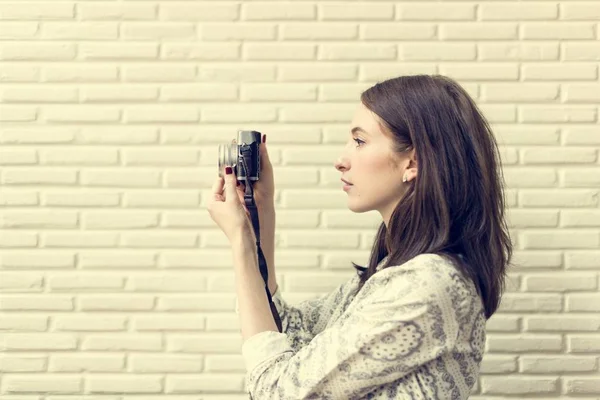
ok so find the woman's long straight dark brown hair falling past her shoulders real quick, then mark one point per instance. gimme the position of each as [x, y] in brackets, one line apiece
[455, 206]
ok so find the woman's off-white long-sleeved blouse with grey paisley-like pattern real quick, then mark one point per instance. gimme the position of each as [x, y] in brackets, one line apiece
[414, 331]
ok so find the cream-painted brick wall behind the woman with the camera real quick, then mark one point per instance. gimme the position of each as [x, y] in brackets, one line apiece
[115, 284]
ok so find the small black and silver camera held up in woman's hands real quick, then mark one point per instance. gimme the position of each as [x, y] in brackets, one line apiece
[243, 155]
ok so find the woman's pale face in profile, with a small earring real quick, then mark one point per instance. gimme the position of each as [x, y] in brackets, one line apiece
[367, 162]
